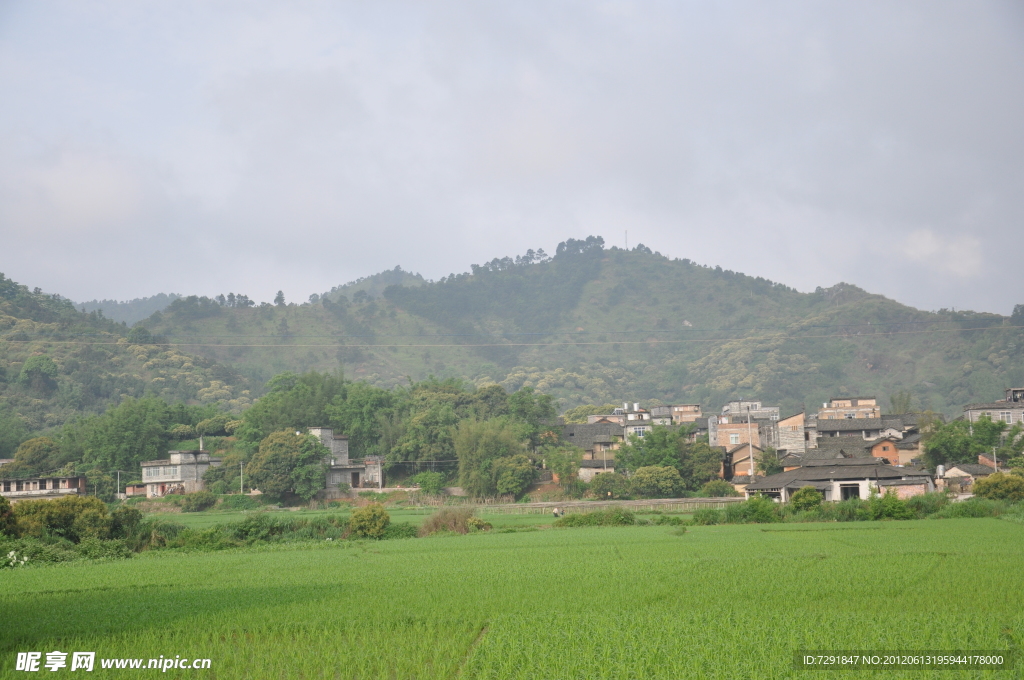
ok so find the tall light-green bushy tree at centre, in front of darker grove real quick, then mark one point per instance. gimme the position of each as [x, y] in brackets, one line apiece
[479, 446]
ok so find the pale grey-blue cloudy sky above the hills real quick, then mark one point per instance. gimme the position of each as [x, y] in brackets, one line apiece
[214, 147]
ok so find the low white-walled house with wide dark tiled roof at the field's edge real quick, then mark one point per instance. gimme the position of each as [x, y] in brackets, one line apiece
[839, 480]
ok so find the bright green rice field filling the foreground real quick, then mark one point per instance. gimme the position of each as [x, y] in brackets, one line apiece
[727, 602]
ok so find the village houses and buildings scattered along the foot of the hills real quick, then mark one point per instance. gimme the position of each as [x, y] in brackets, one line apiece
[846, 450]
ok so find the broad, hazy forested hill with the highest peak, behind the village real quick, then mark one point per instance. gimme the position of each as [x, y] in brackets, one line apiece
[598, 325]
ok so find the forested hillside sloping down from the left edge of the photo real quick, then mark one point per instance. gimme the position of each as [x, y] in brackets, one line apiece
[58, 363]
